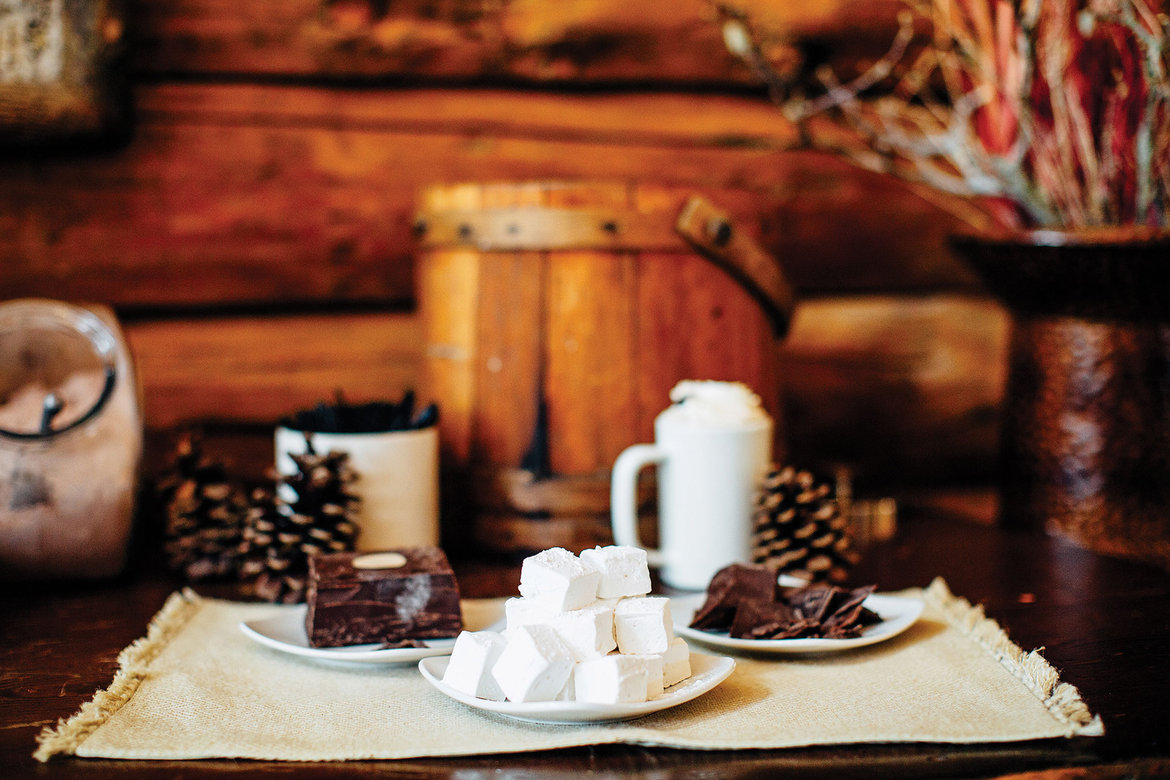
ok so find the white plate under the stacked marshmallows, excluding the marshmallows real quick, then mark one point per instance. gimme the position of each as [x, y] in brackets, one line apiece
[706, 673]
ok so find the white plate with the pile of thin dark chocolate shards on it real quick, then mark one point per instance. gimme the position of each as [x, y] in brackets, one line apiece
[747, 608]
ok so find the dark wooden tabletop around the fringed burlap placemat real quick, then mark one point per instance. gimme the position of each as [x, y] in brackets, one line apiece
[1104, 623]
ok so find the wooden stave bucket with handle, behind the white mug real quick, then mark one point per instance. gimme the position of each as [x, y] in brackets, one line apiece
[558, 317]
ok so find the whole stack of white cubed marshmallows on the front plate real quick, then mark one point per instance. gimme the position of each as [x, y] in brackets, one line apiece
[583, 630]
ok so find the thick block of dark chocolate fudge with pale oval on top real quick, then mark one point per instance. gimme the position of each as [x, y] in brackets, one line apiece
[387, 597]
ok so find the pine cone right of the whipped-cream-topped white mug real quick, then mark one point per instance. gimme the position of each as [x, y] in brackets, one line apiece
[800, 530]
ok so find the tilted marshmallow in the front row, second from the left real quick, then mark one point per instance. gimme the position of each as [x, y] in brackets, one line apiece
[534, 666]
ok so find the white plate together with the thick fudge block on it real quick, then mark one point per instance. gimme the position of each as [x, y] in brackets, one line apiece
[396, 606]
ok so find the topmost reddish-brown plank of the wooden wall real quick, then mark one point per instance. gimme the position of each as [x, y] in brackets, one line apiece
[591, 42]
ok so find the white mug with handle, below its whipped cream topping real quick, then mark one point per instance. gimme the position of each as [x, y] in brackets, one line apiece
[710, 473]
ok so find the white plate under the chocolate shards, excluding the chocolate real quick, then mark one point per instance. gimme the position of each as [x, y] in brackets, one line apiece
[897, 613]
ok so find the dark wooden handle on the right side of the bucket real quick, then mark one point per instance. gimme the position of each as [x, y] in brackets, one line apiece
[710, 230]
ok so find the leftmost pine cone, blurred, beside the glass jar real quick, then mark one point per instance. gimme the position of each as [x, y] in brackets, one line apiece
[204, 515]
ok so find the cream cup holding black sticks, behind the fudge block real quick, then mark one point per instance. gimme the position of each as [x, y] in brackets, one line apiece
[398, 482]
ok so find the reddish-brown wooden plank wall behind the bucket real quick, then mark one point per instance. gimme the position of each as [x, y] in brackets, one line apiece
[254, 233]
